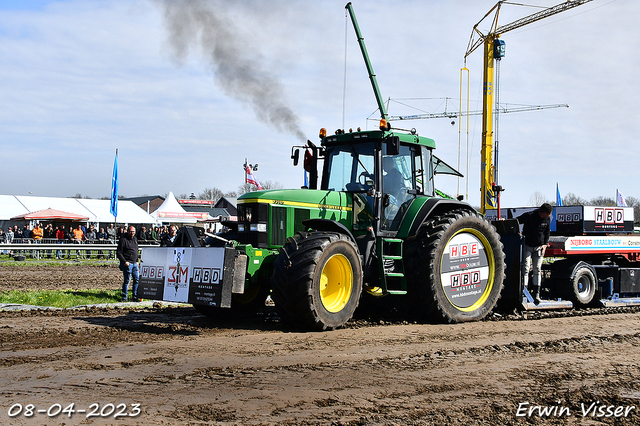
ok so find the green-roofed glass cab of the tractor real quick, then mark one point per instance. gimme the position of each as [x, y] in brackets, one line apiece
[384, 170]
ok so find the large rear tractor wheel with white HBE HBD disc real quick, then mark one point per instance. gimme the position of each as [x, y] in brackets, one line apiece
[456, 268]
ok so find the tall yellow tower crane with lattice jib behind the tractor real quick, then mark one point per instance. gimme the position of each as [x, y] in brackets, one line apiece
[494, 49]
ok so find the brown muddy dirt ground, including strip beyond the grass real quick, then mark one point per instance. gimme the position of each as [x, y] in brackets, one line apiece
[182, 368]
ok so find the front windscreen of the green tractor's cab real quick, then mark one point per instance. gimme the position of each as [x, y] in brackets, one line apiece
[349, 167]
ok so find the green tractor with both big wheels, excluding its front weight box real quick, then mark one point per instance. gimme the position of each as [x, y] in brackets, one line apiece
[373, 226]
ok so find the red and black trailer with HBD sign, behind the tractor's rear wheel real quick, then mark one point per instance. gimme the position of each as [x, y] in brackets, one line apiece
[593, 259]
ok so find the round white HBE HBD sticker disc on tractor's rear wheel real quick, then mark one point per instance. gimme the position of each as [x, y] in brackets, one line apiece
[465, 271]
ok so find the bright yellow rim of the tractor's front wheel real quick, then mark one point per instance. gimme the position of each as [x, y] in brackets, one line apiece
[336, 283]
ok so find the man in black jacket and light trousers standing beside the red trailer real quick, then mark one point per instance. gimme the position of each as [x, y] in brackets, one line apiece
[537, 225]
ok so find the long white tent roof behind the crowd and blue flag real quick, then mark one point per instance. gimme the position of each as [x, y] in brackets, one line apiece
[95, 210]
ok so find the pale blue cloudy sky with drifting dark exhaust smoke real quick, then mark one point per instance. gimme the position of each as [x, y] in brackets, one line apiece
[187, 90]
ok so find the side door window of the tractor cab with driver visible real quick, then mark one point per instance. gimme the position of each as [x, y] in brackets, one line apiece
[398, 177]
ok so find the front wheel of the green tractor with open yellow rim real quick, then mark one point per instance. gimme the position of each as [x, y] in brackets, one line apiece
[317, 280]
